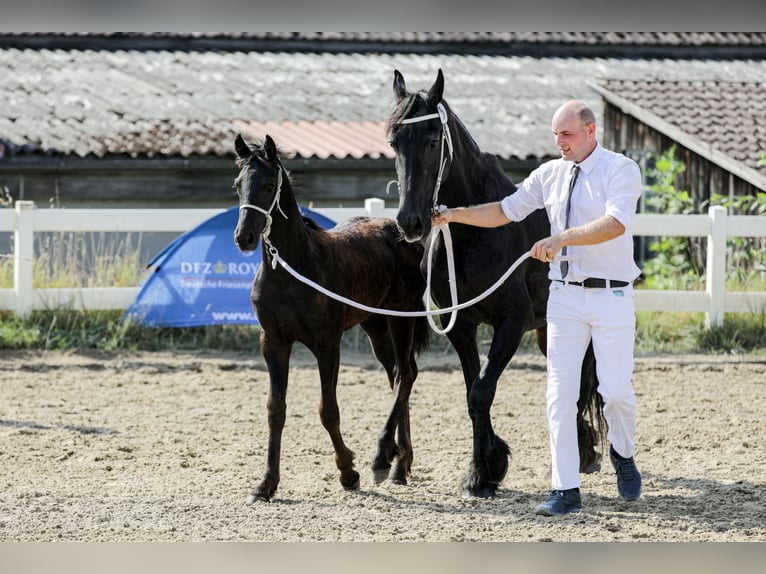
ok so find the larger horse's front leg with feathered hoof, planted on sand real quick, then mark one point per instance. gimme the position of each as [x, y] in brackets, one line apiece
[490, 453]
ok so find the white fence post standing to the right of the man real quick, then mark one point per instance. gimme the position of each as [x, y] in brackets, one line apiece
[715, 280]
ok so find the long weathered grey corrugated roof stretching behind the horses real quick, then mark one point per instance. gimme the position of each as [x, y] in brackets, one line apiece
[175, 103]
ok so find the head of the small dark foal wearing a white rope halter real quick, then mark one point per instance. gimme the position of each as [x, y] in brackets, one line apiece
[258, 186]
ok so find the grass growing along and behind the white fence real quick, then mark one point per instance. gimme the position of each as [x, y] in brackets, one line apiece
[77, 259]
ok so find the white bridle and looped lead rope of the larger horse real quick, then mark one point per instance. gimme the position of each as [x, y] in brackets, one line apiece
[444, 229]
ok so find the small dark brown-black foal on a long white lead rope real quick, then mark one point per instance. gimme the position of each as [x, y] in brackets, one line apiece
[365, 260]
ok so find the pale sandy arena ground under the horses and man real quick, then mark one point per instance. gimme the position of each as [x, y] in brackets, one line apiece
[165, 447]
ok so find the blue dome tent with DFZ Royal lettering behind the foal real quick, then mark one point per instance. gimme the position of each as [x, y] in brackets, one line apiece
[202, 278]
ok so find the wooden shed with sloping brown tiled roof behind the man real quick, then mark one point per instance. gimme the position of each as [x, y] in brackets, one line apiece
[718, 129]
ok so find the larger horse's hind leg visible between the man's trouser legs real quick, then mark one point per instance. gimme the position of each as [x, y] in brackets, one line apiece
[589, 412]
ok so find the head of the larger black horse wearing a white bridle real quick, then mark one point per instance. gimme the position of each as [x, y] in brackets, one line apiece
[418, 133]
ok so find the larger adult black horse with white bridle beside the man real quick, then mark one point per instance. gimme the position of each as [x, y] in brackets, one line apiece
[434, 166]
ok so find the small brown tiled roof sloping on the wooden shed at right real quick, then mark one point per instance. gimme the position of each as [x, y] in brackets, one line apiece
[727, 116]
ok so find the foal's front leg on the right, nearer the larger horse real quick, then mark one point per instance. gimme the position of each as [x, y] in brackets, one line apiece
[328, 358]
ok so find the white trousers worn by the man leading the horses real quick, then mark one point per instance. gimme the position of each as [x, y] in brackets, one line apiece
[576, 316]
